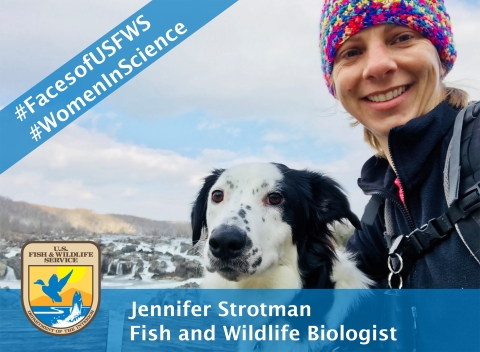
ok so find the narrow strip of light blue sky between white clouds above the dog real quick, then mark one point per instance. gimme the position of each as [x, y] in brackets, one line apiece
[191, 133]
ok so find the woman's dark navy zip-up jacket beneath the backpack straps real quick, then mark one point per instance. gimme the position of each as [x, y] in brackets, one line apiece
[418, 150]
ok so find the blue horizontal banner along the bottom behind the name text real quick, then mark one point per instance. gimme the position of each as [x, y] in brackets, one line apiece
[259, 320]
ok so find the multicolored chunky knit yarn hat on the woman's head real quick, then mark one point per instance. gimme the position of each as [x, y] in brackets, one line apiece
[341, 19]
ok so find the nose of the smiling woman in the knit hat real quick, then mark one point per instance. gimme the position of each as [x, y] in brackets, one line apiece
[379, 62]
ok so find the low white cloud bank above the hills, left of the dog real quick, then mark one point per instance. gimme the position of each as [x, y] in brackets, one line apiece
[81, 168]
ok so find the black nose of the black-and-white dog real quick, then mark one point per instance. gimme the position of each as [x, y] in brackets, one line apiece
[227, 242]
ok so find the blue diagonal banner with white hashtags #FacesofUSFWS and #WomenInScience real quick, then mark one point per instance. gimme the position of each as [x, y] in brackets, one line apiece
[98, 71]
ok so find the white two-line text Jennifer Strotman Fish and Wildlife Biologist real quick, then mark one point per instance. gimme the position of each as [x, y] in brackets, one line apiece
[246, 332]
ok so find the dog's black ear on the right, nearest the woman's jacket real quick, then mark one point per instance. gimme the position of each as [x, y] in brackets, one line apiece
[331, 200]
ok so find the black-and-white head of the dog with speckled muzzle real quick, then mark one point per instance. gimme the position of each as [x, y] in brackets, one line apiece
[252, 212]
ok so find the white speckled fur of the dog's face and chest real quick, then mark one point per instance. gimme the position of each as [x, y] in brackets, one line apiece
[245, 188]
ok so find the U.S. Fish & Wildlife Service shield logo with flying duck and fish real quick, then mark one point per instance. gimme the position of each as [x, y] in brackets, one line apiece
[60, 285]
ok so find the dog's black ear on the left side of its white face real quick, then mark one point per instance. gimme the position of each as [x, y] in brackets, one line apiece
[198, 217]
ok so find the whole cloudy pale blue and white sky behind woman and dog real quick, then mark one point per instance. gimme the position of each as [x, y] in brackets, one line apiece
[246, 87]
